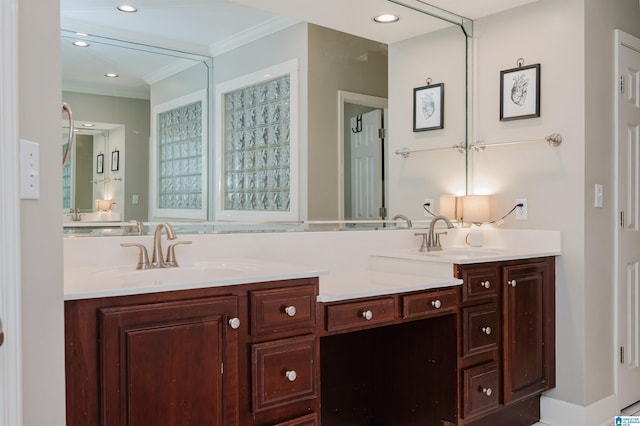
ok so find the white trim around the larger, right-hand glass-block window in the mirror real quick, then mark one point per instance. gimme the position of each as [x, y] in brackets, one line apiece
[292, 68]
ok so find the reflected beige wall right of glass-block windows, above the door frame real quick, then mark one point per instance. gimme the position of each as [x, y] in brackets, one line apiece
[337, 61]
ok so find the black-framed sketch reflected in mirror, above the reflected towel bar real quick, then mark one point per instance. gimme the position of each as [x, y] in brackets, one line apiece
[428, 107]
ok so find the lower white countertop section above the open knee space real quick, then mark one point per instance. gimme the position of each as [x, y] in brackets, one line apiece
[367, 283]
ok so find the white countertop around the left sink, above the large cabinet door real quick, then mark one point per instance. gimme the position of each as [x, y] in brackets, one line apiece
[90, 282]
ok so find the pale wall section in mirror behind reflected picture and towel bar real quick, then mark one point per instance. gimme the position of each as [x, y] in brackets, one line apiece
[441, 57]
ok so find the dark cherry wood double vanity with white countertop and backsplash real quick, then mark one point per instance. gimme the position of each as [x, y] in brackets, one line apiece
[355, 328]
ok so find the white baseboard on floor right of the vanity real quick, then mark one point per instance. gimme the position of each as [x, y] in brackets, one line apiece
[554, 412]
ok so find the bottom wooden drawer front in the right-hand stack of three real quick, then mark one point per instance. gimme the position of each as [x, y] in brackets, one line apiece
[481, 389]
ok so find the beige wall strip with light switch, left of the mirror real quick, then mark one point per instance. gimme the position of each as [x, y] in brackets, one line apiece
[39, 113]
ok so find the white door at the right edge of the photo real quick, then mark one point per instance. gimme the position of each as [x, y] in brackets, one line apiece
[628, 194]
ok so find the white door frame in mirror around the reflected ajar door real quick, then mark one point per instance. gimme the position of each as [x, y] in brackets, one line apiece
[345, 97]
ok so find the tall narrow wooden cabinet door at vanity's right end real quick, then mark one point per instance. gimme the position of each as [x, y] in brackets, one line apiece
[529, 329]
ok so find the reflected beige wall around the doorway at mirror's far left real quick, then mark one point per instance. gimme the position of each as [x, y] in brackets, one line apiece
[134, 114]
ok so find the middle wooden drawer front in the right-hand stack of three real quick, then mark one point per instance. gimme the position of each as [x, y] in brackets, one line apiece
[480, 330]
